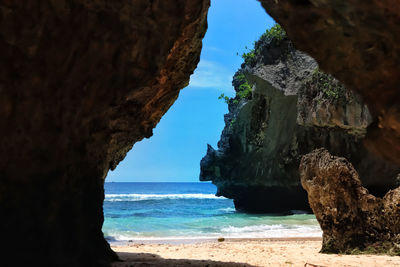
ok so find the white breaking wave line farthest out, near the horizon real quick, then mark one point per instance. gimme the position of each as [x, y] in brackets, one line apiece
[140, 197]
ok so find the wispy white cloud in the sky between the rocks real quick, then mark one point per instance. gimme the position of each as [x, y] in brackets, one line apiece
[210, 74]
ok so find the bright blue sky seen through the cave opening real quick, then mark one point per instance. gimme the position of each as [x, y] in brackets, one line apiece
[196, 119]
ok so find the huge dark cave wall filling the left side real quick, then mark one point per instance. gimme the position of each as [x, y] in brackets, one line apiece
[80, 83]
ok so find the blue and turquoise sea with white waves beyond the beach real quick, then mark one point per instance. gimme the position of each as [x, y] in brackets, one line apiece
[149, 211]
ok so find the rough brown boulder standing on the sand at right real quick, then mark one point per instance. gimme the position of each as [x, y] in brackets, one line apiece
[349, 216]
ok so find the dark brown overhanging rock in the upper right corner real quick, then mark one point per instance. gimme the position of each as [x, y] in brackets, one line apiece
[356, 41]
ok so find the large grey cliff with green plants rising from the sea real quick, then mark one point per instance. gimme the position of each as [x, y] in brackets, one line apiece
[294, 108]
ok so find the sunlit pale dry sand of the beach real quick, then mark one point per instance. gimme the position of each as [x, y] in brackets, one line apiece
[251, 252]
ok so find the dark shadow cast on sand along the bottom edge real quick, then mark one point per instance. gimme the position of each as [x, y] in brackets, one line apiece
[148, 259]
